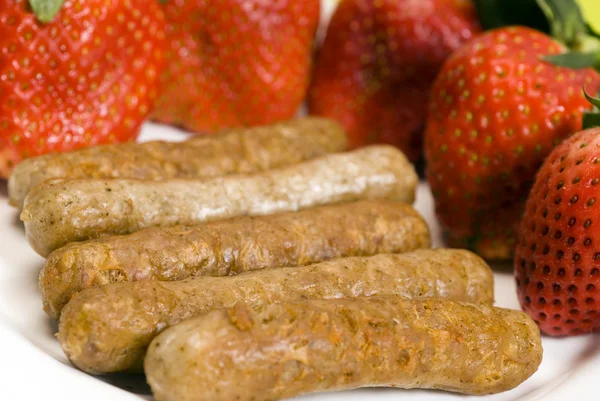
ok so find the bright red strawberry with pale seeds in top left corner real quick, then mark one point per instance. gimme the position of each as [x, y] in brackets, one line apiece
[87, 77]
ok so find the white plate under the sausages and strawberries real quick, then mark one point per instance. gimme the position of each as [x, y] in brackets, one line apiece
[33, 367]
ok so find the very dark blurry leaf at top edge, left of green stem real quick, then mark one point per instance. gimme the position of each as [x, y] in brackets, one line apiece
[498, 13]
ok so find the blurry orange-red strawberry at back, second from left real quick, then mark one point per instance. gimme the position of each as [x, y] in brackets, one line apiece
[236, 62]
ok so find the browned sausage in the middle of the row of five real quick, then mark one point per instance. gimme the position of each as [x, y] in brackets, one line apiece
[228, 247]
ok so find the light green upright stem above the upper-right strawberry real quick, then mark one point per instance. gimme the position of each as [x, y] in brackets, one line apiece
[566, 21]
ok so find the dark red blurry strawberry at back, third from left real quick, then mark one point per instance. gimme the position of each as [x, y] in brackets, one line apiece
[377, 64]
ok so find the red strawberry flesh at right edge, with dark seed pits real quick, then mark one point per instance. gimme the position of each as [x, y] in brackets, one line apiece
[557, 260]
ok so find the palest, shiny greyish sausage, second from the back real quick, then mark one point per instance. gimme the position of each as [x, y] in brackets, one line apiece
[59, 212]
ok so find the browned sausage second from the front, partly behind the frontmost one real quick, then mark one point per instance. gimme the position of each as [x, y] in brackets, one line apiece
[107, 329]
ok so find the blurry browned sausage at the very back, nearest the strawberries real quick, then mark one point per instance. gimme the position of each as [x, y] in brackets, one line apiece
[246, 150]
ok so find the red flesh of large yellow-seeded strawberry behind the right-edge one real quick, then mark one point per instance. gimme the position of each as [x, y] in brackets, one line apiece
[496, 111]
